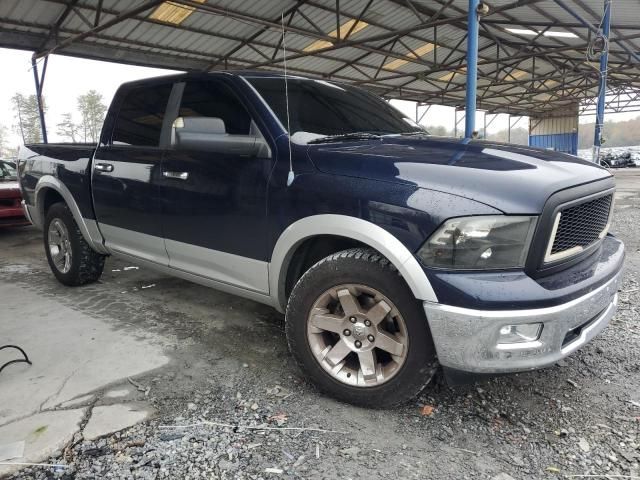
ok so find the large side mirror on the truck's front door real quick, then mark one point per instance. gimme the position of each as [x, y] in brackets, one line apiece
[209, 134]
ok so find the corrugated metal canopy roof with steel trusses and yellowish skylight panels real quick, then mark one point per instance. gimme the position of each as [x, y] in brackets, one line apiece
[404, 49]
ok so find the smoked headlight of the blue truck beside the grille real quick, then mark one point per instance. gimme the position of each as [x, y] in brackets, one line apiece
[482, 242]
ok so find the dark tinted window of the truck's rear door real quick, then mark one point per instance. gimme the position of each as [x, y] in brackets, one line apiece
[139, 121]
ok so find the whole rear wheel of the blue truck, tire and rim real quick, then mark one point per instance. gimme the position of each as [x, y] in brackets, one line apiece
[70, 257]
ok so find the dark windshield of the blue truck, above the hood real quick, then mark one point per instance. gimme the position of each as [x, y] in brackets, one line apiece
[326, 108]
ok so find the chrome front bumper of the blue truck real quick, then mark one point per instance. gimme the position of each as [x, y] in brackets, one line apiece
[468, 340]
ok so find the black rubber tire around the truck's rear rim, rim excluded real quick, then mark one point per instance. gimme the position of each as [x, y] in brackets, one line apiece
[86, 263]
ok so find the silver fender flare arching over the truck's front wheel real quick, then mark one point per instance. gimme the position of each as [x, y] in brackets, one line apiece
[351, 227]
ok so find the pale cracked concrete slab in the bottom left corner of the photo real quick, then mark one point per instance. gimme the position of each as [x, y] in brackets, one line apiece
[43, 434]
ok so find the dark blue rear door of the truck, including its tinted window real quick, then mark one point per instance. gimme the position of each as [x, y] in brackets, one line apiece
[126, 174]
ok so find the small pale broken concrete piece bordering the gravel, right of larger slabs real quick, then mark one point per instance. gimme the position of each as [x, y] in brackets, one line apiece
[113, 418]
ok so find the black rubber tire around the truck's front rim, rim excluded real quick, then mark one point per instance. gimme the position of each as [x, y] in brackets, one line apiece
[365, 267]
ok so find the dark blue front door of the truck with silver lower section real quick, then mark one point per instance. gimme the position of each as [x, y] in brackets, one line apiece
[213, 193]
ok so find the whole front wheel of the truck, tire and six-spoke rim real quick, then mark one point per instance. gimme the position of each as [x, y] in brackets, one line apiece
[358, 332]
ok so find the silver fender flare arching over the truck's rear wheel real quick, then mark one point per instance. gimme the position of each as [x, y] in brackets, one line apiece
[88, 228]
